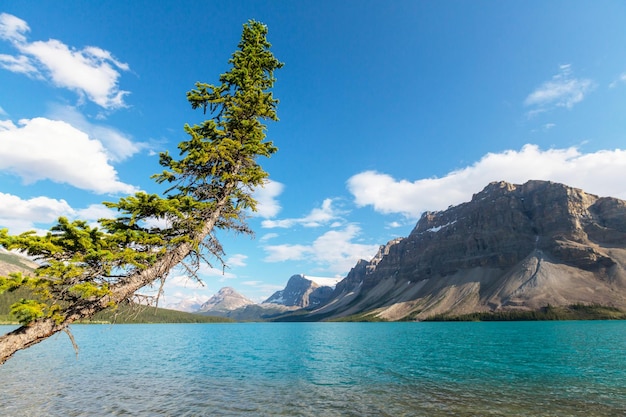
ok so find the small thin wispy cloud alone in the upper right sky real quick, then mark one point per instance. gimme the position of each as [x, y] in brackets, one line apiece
[561, 91]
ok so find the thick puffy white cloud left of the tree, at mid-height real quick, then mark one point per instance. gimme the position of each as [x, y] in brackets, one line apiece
[40, 148]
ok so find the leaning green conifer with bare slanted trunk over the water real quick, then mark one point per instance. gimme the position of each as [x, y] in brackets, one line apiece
[87, 269]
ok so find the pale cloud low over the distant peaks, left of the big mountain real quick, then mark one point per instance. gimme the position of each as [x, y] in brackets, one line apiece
[335, 251]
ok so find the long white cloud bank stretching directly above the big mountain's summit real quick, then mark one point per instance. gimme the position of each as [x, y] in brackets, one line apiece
[598, 173]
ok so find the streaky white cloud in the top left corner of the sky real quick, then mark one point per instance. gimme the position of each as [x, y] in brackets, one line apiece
[91, 72]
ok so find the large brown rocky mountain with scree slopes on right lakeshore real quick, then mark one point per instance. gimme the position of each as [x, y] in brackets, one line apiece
[511, 248]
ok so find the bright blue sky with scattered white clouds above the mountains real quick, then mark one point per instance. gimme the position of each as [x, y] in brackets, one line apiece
[387, 109]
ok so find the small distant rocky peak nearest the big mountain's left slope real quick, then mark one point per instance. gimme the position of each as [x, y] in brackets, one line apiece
[301, 292]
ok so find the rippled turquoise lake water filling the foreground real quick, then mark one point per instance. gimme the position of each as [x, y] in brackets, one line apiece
[323, 369]
